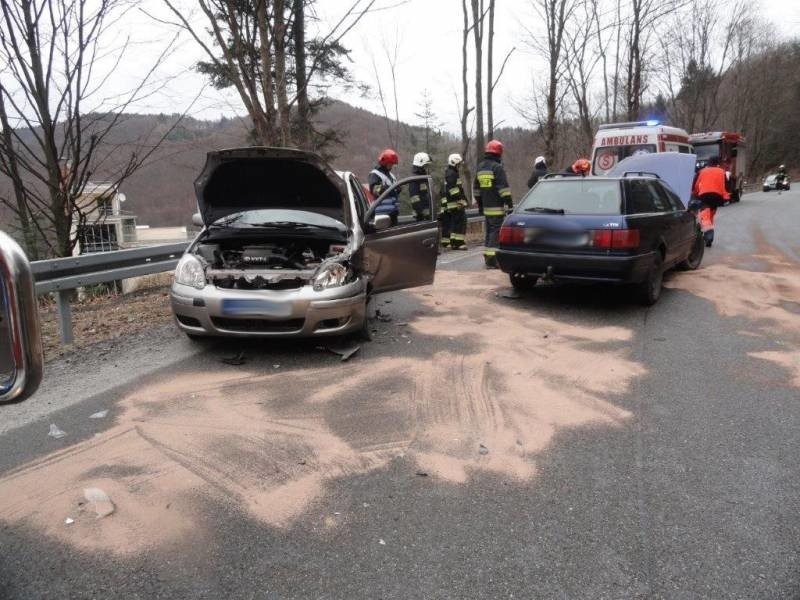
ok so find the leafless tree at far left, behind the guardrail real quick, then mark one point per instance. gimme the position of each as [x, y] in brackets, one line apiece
[55, 122]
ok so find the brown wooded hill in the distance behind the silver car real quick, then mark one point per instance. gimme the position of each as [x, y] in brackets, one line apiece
[161, 193]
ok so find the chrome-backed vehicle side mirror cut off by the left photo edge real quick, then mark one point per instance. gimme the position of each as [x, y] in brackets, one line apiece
[20, 340]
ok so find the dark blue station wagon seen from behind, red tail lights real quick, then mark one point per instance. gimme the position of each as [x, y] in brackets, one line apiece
[626, 229]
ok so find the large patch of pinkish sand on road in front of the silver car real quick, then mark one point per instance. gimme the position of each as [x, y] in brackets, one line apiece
[268, 443]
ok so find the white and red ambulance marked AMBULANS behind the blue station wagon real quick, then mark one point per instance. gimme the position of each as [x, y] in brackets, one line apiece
[615, 141]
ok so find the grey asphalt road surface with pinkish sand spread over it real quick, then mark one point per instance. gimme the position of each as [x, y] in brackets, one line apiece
[567, 443]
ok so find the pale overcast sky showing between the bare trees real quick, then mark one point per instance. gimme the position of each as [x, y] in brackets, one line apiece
[428, 37]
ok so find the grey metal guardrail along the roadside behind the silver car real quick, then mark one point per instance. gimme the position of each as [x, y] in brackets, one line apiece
[62, 275]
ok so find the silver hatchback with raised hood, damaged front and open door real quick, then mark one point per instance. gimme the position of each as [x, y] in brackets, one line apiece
[290, 247]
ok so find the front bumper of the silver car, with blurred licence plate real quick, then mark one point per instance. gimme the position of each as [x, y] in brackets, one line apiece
[300, 312]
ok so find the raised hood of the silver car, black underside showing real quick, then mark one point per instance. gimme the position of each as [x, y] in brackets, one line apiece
[240, 179]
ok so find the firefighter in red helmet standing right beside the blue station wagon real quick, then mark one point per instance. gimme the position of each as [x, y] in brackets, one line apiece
[494, 197]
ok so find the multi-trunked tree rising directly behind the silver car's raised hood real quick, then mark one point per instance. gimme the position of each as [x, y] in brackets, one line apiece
[249, 46]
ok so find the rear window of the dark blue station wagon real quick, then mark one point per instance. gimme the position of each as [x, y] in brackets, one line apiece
[574, 196]
